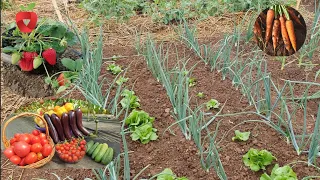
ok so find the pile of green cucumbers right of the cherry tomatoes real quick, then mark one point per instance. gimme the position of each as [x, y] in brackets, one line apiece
[99, 152]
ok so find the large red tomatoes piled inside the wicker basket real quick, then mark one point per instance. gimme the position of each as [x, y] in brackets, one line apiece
[28, 148]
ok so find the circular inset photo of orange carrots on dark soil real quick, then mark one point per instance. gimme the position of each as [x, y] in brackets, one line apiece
[280, 30]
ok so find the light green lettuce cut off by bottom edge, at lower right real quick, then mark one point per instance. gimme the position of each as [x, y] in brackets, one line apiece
[280, 173]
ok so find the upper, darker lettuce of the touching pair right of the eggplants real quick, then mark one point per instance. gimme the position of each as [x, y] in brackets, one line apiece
[137, 118]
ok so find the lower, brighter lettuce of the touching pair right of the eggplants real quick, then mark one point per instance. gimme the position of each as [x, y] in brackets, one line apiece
[145, 133]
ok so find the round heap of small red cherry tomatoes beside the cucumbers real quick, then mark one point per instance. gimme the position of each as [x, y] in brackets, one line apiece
[72, 151]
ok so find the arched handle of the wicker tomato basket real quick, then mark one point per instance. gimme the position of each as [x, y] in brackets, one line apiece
[4, 138]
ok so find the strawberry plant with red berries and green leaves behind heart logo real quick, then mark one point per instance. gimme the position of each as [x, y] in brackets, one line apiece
[42, 45]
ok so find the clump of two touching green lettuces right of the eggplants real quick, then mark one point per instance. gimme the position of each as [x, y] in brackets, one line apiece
[141, 127]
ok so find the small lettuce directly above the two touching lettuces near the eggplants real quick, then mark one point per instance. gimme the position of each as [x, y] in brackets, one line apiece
[129, 99]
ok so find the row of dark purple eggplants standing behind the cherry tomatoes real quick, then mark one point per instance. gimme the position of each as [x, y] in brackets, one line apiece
[66, 126]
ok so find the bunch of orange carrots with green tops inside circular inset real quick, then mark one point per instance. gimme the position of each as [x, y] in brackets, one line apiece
[279, 28]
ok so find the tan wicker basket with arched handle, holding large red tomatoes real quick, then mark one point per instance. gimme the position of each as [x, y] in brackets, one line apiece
[6, 142]
